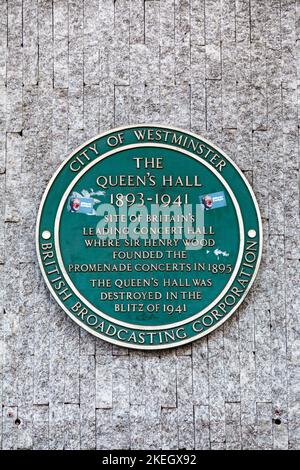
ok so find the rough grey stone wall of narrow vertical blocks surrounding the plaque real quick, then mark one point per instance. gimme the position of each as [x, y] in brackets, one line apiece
[227, 69]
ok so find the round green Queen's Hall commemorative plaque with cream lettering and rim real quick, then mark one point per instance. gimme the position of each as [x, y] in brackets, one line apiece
[149, 237]
